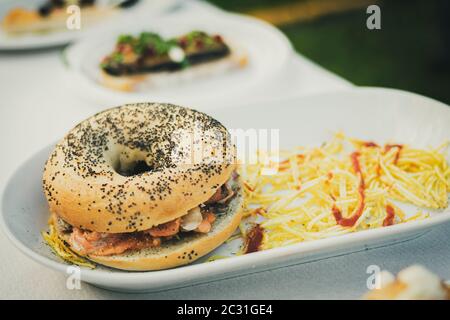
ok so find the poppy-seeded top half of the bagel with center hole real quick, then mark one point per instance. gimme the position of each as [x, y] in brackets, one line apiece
[136, 166]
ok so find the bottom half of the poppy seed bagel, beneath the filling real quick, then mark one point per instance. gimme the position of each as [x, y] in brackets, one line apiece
[176, 252]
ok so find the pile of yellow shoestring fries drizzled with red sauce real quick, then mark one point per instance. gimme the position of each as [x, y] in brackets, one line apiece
[343, 186]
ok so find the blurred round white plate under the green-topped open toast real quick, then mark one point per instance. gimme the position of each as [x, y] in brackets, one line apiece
[267, 49]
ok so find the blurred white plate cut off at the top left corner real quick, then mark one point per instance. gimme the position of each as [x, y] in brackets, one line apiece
[62, 37]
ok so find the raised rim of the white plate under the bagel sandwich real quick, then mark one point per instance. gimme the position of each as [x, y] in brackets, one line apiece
[194, 271]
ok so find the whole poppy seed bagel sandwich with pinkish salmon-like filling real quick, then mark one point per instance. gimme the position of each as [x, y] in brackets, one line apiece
[125, 191]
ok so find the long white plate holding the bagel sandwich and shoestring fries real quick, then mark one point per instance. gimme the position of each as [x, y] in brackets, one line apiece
[367, 113]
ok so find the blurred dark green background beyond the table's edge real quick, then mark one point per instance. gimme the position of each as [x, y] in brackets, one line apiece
[410, 52]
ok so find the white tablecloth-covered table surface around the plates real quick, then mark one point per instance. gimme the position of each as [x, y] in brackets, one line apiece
[39, 115]
